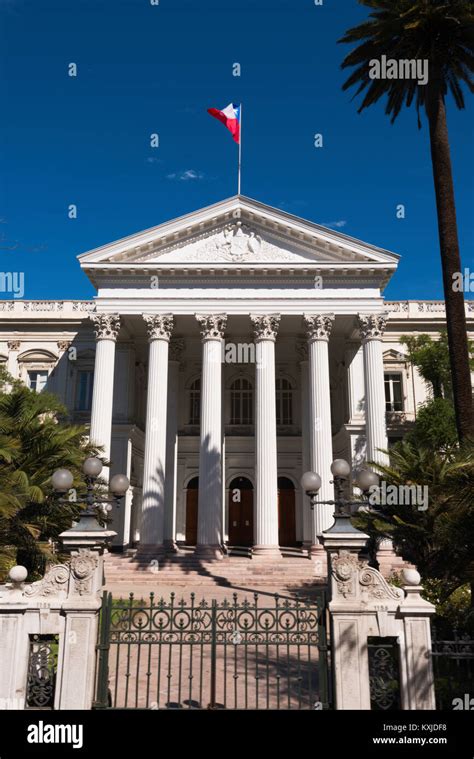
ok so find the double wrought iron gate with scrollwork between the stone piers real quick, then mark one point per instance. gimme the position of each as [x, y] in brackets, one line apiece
[213, 654]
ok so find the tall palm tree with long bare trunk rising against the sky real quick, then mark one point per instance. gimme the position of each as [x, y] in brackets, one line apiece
[441, 32]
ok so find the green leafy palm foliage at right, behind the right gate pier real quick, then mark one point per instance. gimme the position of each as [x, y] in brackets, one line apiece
[437, 539]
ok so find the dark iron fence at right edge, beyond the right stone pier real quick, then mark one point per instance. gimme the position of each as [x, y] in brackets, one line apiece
[453, 669]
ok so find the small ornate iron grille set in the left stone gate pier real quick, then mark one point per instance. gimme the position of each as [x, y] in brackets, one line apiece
[42, 668]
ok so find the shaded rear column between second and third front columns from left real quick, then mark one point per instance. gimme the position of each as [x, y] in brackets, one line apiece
[176, 350]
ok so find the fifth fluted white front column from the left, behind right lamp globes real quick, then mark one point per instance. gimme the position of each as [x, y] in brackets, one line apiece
[318, 329]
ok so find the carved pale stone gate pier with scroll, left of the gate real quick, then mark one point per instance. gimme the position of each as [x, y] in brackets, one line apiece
[65, 602]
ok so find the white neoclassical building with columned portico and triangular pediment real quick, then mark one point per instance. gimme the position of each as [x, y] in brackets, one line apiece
[227, 352]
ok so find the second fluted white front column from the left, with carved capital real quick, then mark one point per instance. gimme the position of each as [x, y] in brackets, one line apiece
[159, 328]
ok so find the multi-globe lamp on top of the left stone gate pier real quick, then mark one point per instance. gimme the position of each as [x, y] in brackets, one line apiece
[91, 517]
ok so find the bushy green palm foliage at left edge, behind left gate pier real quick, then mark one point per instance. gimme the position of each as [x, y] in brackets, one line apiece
[35, 439]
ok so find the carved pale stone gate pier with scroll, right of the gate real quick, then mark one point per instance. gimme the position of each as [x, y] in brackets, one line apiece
[364, 605]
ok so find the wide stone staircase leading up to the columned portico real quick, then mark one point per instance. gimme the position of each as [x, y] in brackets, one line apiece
[184, 569]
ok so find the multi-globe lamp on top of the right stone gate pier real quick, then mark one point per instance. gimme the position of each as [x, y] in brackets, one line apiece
[311, 484]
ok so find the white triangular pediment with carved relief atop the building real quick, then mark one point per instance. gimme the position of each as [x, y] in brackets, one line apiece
[238, 231]
